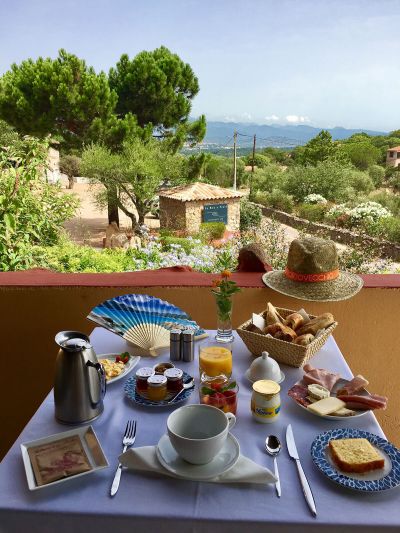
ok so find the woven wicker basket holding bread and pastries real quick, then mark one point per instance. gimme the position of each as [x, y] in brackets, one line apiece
[284, 352]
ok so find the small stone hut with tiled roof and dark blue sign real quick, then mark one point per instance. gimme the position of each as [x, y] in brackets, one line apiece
[186, 207]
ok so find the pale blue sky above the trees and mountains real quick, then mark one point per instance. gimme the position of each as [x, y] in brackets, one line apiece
[319, 62]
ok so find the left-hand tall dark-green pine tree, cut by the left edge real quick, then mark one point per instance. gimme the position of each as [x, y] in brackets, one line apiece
[61, 97]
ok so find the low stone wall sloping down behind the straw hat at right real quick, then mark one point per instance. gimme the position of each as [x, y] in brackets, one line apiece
[344, 236]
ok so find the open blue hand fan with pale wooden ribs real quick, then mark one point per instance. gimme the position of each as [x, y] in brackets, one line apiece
[143, 321]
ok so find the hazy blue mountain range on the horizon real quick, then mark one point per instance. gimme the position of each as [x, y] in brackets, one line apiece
[221, 133]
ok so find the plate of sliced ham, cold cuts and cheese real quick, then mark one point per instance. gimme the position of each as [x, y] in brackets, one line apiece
[326, 394]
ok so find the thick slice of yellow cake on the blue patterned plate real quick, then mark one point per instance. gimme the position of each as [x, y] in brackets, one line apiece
[355, 455]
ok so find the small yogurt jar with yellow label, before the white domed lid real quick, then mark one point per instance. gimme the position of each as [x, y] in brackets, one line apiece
[266, 401]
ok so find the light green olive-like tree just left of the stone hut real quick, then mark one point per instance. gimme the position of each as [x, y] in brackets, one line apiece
[134, 175]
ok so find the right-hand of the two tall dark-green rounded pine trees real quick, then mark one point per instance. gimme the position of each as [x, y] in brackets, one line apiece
[158, 88]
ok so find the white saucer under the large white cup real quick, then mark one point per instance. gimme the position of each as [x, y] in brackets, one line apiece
[225, 460]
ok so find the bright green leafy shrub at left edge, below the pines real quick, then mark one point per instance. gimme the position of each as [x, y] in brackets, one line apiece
[32, 211]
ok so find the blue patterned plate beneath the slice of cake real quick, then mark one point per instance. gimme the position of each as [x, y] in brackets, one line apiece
[374, 481]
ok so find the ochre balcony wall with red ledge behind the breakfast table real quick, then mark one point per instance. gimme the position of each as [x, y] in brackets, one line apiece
[36, 304]
